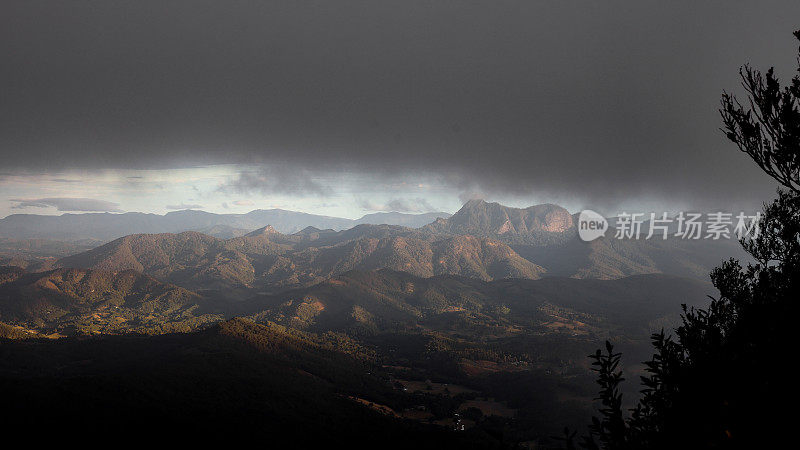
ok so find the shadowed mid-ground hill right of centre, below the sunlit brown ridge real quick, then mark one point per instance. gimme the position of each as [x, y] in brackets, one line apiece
[388, 299]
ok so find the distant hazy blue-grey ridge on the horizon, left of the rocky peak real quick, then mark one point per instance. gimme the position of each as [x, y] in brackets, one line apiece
[108, 226]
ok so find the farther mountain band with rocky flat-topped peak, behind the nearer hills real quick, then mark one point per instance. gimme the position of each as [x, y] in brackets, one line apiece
[482, 240]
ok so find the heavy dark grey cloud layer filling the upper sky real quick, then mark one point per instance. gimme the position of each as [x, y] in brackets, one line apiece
[603, 100]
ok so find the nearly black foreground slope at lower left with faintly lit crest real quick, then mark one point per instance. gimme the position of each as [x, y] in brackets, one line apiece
[234, 381]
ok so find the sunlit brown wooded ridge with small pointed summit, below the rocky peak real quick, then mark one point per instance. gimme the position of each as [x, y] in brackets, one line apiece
[266, 258]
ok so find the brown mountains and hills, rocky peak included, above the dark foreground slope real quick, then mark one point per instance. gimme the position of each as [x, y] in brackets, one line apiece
[184, 280]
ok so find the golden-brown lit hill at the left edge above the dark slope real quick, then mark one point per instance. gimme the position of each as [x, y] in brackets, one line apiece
[68, 301]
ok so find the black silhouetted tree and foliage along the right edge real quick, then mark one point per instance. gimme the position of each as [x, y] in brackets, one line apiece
[723, 379]
